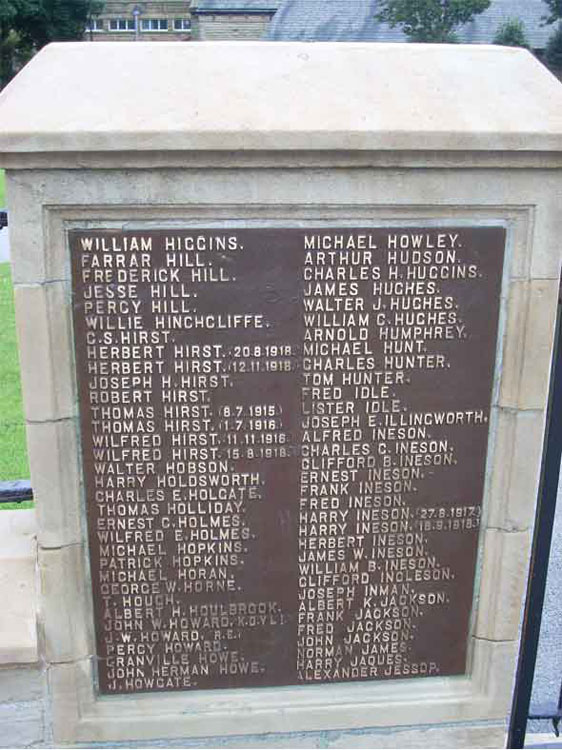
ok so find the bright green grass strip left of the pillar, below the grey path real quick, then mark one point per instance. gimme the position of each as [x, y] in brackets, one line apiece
[13, 455]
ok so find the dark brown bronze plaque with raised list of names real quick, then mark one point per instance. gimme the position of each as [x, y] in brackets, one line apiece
[284, 437]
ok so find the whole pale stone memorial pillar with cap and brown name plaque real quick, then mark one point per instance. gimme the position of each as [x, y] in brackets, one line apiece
[285, 316]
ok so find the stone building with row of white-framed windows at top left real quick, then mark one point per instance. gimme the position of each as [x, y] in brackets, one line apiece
[147, 20]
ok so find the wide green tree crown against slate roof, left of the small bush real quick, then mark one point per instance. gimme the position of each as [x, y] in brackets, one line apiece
[430, 20]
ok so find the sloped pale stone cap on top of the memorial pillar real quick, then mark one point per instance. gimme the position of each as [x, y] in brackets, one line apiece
[284, 96]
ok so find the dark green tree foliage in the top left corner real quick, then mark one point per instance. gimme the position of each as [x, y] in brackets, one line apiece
[27, 25]
